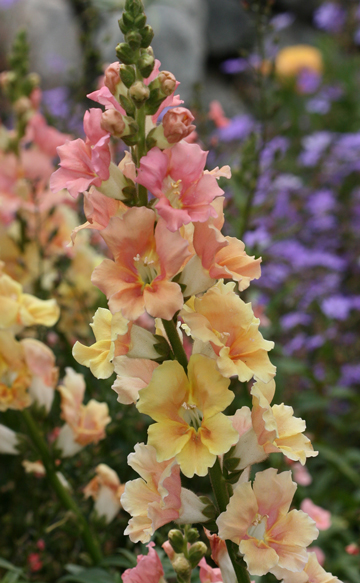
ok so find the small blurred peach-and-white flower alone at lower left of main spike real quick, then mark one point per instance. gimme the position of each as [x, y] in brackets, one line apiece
[106, 489]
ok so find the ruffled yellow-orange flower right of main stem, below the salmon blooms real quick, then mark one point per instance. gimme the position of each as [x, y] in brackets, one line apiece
[222, 319]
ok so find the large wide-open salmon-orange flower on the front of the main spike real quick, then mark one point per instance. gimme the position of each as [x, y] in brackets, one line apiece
[145, 261]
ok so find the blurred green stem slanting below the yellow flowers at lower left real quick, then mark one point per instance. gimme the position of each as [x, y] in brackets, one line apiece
[89, 538]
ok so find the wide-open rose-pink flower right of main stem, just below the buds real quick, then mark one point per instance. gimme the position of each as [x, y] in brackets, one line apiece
[176, 177]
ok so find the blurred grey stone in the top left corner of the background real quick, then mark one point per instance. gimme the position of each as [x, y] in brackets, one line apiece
[52, 34]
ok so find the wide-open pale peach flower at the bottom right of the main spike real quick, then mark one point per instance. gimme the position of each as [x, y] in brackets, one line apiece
[258, 520]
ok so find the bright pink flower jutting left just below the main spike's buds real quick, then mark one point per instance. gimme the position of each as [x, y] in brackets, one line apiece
[83, 164]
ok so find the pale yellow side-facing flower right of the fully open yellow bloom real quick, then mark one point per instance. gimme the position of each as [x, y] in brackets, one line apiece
[267, 429]
